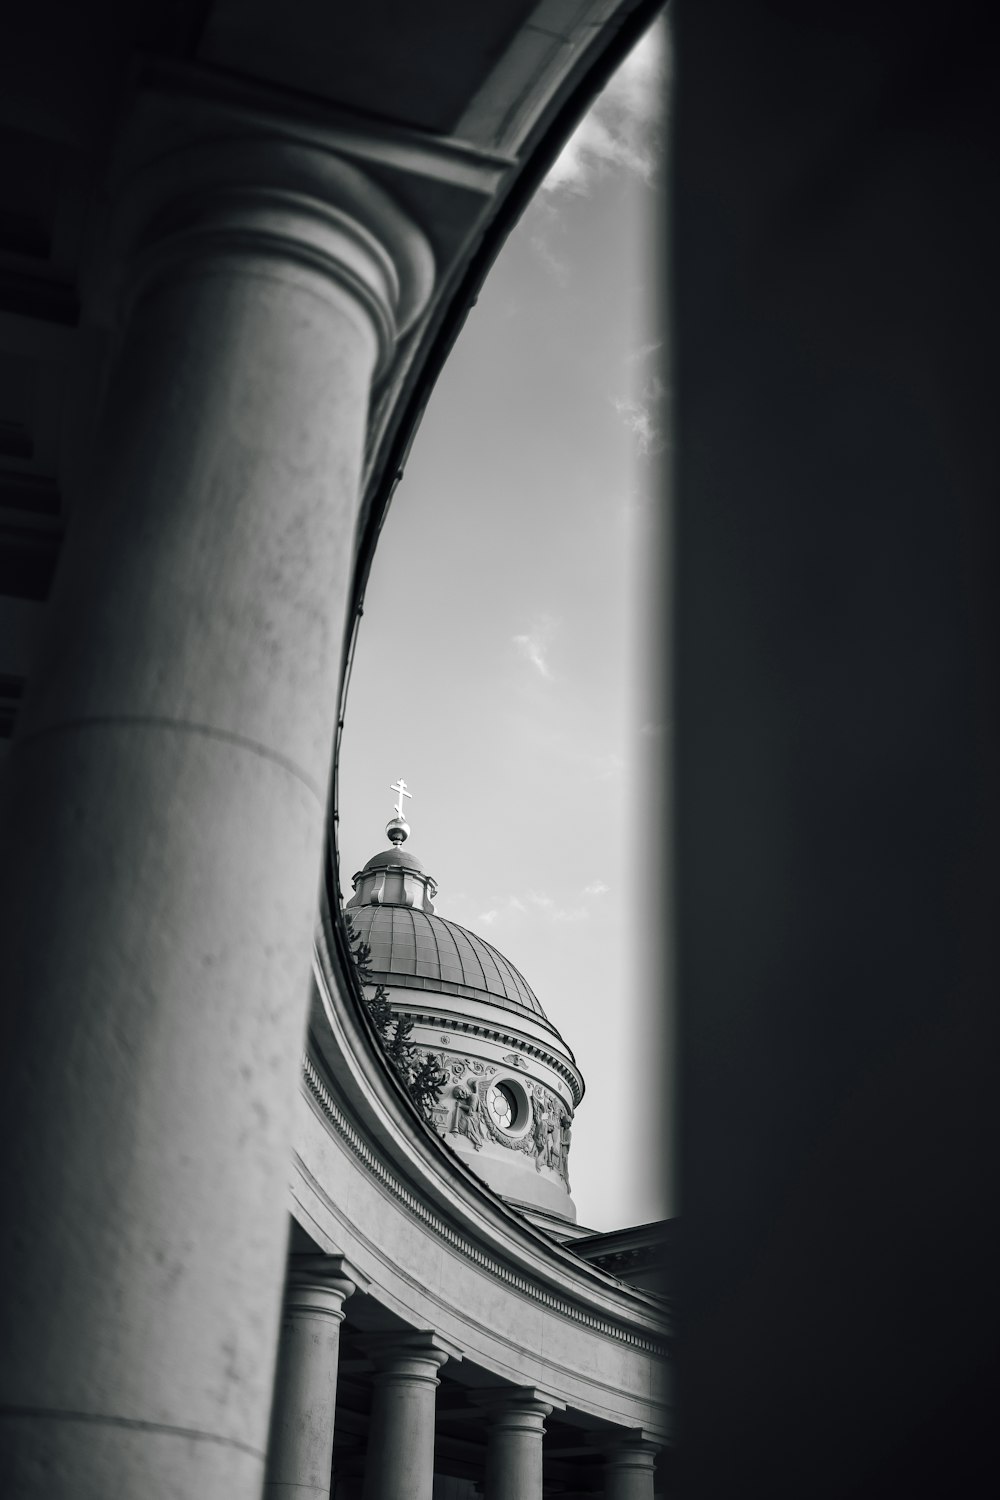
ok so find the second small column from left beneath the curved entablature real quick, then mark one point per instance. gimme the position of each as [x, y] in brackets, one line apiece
[400, 1463]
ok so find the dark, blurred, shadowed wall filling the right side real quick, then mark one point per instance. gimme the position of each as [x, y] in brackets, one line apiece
[836, 244]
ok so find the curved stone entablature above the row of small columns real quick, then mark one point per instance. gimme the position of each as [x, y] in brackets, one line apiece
[442, 1252]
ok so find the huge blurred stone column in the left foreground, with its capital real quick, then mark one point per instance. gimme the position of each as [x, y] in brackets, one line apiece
[163, 824]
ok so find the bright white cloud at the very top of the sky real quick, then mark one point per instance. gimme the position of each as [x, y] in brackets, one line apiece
[624, 128]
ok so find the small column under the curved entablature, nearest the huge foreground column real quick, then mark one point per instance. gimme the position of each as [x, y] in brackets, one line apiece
[301, 1448]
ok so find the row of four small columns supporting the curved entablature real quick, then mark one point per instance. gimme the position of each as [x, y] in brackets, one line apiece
[401, 1444]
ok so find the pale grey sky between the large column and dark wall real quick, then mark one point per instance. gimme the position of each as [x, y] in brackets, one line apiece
[504, 664]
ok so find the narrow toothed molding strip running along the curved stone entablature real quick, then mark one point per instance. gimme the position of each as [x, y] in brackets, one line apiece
[490, 1264]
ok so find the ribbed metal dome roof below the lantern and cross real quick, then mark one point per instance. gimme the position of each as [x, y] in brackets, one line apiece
[422, 952]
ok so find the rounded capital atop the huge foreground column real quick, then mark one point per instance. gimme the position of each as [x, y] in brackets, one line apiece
[241, 187]
